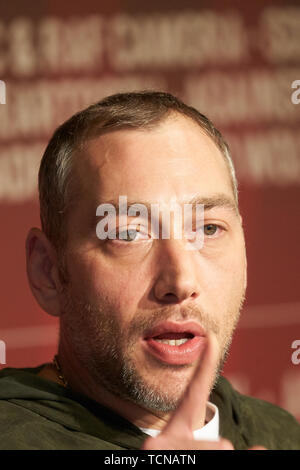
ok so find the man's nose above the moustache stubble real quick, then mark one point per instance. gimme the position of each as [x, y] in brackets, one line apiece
[177, 280]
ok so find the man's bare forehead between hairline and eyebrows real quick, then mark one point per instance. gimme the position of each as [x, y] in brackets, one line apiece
[175, 159]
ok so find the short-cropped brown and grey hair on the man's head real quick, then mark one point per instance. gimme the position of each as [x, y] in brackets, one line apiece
[143, 109]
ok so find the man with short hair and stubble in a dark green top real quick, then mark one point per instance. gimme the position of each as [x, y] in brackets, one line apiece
[146, 321]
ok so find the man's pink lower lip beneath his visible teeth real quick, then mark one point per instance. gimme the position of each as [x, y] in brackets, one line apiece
[186, 353]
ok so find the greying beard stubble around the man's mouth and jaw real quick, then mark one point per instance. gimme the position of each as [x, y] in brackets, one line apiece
[107, 352]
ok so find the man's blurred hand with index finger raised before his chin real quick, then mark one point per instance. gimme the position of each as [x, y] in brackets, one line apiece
[178, 432]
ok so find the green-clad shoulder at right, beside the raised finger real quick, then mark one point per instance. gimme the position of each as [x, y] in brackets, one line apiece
[263, 423]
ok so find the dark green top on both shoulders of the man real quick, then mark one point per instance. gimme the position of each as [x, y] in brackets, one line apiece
[36, 413]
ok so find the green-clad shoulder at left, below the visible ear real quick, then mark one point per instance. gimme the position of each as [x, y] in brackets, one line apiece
[38, 414]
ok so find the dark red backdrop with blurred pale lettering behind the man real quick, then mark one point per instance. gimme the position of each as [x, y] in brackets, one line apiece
[237, 66]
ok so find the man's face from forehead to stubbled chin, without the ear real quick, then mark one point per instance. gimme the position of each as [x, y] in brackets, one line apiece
[120, 291]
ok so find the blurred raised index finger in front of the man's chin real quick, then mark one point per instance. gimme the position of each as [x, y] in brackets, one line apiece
[192, 408]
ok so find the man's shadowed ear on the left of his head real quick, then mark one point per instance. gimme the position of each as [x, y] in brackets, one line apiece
[42, 271]
